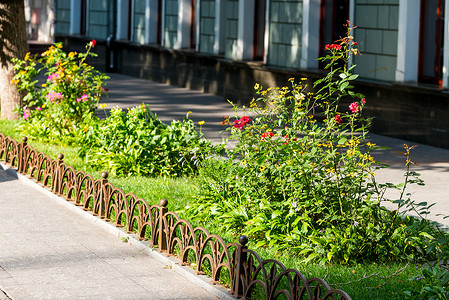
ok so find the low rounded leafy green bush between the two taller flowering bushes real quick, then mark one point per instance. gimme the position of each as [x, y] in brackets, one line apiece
[138, 143]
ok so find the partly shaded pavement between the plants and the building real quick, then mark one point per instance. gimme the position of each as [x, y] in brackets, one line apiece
[173, 103]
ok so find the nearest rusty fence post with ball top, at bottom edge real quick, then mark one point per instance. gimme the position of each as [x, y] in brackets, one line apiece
[238, 286]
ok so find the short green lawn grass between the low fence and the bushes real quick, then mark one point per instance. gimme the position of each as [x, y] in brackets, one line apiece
[363, 281]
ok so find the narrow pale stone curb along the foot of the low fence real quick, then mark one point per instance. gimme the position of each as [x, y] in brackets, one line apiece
[171, 262]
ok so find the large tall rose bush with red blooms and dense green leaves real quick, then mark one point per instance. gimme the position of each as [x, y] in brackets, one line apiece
[301, 176]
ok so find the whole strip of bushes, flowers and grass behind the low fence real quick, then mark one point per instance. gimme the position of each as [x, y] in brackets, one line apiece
[299, 182]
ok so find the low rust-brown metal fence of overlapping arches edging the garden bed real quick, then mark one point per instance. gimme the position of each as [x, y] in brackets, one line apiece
[247, 274]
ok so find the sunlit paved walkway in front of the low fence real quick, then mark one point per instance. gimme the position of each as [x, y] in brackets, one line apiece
[48, 251]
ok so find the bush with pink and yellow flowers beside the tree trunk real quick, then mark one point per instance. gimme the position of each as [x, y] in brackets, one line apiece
[58, 109]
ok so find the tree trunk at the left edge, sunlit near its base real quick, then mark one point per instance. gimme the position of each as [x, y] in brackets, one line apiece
[13, 44]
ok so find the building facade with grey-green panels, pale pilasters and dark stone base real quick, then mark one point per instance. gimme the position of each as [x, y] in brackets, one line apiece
[226, 46]
